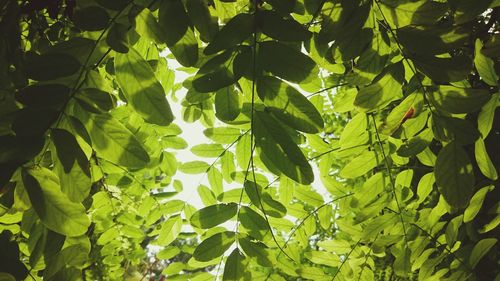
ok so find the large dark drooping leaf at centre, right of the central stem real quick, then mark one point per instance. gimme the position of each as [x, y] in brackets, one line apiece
[275, 142]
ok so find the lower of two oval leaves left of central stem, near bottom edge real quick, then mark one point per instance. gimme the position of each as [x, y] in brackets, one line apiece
[214, 246]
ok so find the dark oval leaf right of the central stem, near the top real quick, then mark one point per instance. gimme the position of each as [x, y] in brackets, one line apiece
[286, 62]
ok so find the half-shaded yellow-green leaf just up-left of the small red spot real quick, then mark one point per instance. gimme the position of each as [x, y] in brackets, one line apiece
[385, 89]
